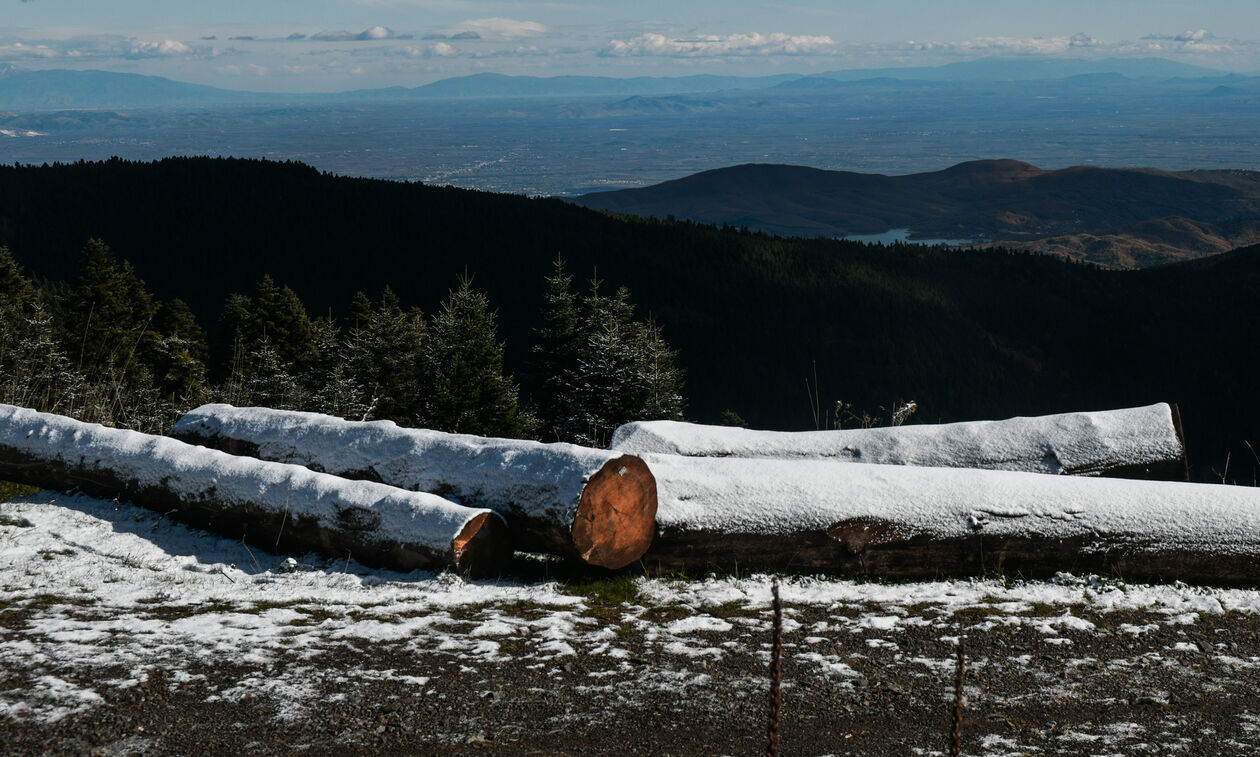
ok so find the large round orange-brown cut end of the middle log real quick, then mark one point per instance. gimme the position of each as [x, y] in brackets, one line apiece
[617, 517]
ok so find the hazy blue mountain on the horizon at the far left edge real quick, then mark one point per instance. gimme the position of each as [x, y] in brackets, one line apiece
[60, 89]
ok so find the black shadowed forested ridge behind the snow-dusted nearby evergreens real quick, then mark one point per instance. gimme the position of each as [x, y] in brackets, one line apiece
[754, 319]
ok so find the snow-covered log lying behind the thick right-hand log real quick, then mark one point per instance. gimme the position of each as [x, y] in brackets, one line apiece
[1142, 443]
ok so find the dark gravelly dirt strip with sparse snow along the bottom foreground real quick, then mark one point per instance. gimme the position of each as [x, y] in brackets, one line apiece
[1133, 685]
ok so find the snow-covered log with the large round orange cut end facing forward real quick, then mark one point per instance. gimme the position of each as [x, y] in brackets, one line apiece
[570, 501]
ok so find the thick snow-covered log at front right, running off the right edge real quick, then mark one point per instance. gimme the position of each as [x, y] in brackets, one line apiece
[902, 522]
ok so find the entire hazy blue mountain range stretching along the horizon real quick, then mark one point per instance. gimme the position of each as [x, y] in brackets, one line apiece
[26, 91]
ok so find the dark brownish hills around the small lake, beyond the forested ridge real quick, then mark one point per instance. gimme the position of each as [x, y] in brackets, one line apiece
[1114, 217]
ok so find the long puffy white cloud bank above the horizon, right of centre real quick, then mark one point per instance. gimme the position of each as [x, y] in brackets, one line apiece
[714, 46]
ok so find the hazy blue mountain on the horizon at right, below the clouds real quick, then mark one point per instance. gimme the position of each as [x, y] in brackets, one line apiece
[1031, 70]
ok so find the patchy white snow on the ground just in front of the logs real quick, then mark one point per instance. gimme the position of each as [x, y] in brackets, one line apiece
[109, 594]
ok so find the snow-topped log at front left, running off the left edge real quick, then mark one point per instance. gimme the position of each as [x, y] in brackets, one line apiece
[270, 504]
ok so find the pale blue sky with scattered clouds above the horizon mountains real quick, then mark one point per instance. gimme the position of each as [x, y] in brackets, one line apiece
[304, 46]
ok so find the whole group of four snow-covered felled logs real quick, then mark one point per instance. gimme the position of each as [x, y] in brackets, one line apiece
[709, 506]
